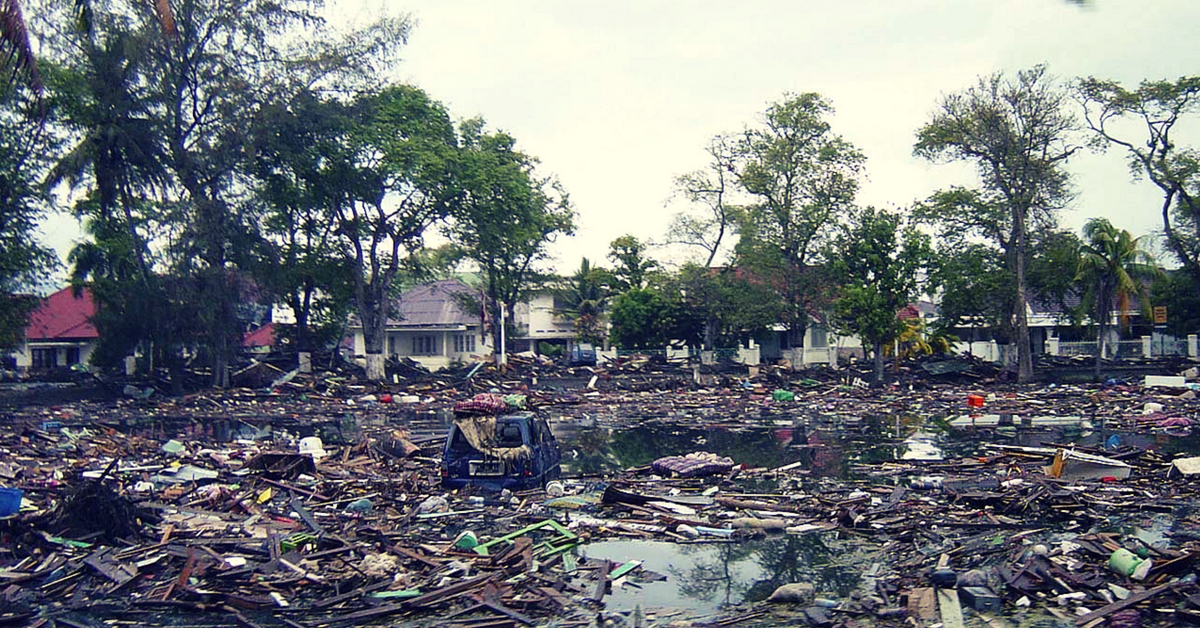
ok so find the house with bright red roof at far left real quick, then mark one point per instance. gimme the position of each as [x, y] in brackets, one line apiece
[61, 333]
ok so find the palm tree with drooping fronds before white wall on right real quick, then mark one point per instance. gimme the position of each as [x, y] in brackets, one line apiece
[1115, 270]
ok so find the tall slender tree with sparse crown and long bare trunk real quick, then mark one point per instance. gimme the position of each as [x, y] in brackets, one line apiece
[1018, 134]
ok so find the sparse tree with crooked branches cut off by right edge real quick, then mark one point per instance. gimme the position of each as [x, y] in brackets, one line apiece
[1155, 153]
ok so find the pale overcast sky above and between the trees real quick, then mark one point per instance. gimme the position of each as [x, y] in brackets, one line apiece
[619, 98]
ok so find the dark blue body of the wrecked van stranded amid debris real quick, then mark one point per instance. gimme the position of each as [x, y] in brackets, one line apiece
[539, 463]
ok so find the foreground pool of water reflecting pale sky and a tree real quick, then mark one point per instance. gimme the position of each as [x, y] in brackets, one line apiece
[709, 576]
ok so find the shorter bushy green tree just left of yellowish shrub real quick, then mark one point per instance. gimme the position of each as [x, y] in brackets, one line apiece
[878, 264]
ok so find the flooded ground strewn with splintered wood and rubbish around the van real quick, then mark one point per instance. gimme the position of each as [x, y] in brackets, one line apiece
[315, 500]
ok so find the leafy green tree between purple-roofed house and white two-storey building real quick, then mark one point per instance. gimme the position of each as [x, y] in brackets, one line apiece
[508, 218]
